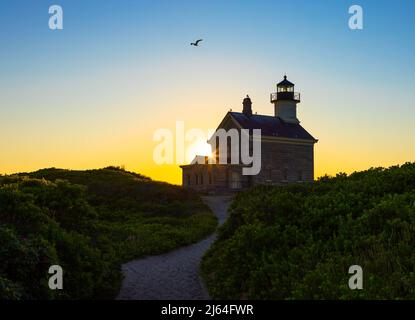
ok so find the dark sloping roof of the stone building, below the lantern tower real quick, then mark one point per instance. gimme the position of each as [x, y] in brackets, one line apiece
[271, 126]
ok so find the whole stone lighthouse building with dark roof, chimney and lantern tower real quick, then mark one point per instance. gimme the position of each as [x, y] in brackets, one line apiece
[287, 149]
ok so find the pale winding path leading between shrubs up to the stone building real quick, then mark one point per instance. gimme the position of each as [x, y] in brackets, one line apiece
[174, 275]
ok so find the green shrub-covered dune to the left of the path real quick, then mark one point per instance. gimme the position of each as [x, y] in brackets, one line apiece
[88, 222]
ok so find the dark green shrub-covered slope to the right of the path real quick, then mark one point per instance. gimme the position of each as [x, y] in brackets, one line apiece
[298, 242]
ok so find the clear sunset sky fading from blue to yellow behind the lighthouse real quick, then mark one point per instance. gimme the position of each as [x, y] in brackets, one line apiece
[93, 94]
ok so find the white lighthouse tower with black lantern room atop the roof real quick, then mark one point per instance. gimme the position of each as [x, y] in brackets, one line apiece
[285, 101]
